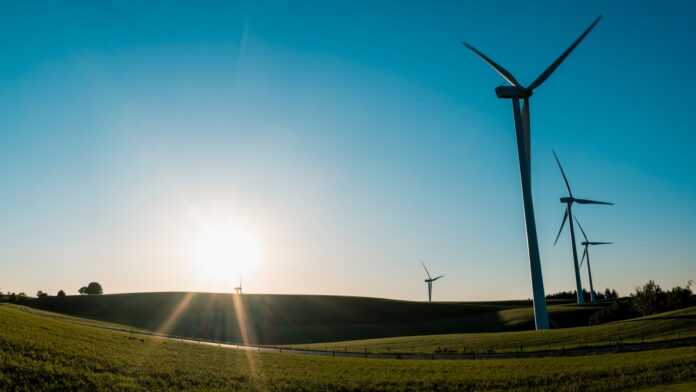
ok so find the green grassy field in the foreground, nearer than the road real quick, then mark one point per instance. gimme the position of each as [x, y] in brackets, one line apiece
[40, 351]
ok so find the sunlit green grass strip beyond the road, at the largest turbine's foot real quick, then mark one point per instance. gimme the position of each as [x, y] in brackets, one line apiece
[662, 326]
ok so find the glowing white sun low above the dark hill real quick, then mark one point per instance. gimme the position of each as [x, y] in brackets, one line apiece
[222, 250]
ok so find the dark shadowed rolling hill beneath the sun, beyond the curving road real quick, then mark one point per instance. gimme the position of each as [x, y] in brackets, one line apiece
[286, 319]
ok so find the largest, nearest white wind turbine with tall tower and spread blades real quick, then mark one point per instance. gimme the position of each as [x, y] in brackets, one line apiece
[515, 92]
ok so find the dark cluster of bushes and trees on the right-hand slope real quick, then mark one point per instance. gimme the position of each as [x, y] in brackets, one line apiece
[647, 300]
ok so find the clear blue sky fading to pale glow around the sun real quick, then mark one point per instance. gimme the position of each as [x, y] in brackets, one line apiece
[327, 147]
